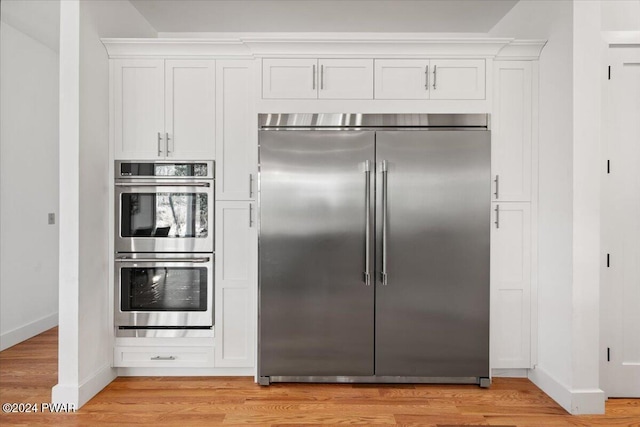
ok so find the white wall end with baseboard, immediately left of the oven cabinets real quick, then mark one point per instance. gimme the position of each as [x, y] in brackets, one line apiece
[85, 340]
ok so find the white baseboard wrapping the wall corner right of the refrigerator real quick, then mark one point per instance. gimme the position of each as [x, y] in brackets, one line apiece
[574, 401]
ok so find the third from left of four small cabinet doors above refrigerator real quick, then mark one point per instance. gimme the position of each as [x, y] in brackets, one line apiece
[402, 79]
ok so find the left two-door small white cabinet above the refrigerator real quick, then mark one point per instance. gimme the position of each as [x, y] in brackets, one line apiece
[317, 79]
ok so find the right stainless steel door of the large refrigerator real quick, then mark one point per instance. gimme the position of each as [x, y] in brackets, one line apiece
[432, 315]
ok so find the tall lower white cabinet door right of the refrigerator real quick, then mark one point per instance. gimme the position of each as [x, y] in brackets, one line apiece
[511, 285]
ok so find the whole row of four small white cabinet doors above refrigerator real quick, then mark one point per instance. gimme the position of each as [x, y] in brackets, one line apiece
[402, 79]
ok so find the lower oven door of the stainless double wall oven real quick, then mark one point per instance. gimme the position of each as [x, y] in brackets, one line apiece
[164, 291]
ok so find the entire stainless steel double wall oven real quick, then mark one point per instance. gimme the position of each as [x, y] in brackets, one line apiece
[164, 262]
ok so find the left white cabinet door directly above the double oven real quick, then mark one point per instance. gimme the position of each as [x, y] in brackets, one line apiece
[138, 107]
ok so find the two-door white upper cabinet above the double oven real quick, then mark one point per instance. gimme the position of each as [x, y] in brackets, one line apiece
[164, 109]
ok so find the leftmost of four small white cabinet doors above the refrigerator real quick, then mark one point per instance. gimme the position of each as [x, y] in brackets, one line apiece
[290, 78]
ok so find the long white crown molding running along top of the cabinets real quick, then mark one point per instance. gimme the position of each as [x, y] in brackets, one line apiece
[314, 45]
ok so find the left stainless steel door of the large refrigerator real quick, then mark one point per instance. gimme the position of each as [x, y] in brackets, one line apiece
[316, 309]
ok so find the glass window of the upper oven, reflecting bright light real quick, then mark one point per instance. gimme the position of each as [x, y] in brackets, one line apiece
[164, 215]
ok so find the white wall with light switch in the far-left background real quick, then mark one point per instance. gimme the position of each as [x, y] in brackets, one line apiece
[28, 179]
